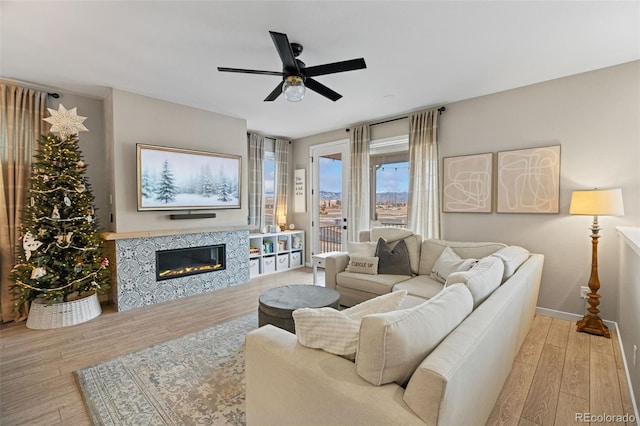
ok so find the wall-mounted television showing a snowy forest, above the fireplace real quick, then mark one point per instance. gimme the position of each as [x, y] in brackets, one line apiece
[183, 179]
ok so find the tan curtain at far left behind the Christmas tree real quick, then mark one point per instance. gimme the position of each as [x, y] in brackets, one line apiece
[21, 114]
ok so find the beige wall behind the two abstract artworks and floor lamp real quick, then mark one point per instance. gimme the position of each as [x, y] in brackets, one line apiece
[595, 118]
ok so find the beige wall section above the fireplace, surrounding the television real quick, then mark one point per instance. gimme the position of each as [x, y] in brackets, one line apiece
[134, 119]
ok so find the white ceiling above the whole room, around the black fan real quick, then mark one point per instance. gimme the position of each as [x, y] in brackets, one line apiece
[418, 54]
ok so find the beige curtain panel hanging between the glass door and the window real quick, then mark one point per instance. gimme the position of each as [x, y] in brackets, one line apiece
[359, 206]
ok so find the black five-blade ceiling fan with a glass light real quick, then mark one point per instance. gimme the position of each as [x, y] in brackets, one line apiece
[296, 75]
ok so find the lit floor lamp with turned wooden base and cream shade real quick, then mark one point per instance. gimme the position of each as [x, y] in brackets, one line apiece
[595, 203]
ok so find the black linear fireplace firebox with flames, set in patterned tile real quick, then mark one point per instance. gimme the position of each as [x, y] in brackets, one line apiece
[189, 261]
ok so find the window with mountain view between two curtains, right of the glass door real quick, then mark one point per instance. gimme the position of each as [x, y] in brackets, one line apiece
[390, 181]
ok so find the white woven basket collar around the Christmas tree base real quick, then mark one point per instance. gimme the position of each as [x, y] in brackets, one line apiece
[62, 314]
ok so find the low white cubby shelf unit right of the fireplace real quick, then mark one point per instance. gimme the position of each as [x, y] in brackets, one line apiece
[275, 252]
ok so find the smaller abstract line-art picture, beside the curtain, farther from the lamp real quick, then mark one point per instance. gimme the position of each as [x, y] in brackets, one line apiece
[467, 183]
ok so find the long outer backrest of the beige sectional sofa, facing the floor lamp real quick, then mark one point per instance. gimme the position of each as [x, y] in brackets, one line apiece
[484, 347]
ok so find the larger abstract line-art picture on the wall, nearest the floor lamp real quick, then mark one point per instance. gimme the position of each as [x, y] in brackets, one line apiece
[528, 180]
